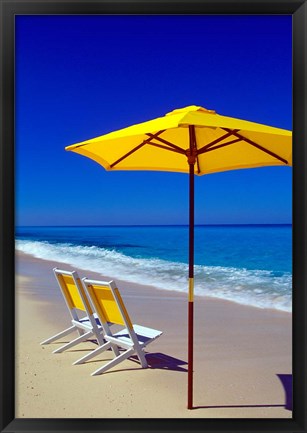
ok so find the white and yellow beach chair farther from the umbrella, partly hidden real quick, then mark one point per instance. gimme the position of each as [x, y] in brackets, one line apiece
[77, 303]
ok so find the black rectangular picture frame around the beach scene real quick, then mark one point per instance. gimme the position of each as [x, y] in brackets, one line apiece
[8, 10]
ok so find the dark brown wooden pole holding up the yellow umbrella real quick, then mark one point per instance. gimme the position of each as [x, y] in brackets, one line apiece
[191, 160]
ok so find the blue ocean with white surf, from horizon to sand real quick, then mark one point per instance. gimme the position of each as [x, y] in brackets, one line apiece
[247, 264]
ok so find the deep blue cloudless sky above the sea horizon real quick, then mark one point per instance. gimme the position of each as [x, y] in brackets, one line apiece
[78, 77]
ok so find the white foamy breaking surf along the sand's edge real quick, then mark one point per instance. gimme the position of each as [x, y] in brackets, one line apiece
[258, 288]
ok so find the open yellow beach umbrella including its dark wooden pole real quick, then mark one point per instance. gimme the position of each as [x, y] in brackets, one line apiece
[191, 140]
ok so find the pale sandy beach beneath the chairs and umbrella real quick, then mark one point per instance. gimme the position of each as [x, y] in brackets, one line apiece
[242, 356]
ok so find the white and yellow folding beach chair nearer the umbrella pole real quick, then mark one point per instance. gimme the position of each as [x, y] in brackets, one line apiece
[131, 339]
